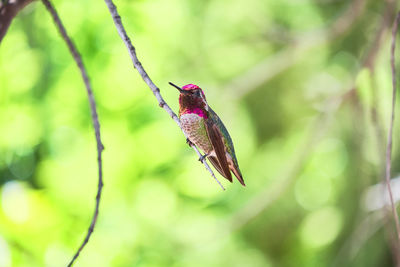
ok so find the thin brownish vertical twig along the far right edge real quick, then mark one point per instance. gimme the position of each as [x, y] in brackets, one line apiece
[390, 134]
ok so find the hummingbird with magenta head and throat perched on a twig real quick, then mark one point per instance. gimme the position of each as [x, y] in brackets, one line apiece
[205, 129]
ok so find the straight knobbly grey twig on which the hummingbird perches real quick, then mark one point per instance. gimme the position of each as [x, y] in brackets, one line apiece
[156, 91]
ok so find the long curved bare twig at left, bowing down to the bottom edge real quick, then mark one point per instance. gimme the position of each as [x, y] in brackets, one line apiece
[95, 119]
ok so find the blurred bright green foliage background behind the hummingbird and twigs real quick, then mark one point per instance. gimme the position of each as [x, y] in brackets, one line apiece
[302, 85]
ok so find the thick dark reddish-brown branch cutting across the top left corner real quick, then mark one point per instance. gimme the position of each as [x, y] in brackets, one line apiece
[8, 10]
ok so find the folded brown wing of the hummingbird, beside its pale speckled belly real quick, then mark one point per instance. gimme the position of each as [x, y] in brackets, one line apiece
[217, 142]
